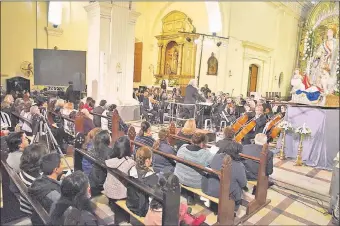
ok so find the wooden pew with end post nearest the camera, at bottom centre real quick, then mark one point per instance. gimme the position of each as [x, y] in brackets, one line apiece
[169, 198]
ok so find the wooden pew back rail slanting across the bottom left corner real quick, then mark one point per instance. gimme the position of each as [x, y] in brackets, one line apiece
[43, 215]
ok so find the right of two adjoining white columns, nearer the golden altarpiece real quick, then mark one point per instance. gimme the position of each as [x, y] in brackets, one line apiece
[121, 63]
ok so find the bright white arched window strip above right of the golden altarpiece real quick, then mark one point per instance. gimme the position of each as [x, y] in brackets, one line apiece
[214, 16]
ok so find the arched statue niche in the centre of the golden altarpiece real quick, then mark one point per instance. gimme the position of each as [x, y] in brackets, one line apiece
[171, 58]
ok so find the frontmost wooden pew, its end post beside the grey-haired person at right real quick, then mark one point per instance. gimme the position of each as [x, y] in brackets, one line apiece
[262, 182]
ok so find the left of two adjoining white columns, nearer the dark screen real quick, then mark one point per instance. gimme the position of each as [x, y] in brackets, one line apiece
[99, 19]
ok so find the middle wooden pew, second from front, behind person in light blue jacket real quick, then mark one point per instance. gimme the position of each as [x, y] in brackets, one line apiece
[226, 205]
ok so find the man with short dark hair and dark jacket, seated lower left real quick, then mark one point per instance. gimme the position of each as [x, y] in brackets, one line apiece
[46, 189]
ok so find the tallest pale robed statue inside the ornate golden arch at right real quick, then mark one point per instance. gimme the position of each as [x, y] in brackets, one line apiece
[324, 62]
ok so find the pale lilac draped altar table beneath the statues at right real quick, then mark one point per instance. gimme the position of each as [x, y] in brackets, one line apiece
[322, 145]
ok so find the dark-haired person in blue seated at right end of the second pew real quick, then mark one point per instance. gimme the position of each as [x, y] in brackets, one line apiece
[238, 181]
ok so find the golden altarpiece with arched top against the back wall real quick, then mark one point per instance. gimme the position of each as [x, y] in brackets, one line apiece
[176, 50]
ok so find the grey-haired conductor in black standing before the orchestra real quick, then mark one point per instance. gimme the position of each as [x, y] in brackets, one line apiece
[191, 96]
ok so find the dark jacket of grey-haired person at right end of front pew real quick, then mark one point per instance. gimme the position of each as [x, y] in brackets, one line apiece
[252, 167]
